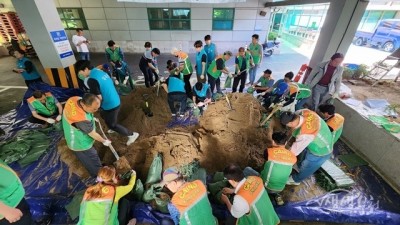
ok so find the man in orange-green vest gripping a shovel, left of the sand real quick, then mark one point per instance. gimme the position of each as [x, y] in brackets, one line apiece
[80, 130]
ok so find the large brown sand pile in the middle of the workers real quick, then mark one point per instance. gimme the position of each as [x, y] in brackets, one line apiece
[222, 136]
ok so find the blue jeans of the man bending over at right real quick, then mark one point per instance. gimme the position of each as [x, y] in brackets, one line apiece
[309, 165]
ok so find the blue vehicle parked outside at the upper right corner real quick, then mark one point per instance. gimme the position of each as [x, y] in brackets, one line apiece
[386, 36]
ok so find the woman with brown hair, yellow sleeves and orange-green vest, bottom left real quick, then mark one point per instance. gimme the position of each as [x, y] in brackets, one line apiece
[102, 203]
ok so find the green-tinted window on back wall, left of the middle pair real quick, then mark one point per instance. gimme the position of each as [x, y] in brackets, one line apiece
[169, 19]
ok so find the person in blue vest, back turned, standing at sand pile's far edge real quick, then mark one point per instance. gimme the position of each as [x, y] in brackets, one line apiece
[175, 87]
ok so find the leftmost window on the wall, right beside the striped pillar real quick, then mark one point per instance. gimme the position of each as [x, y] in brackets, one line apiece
[72, 18]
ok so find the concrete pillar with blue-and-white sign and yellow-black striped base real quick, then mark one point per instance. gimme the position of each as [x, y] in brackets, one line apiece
[46, 32]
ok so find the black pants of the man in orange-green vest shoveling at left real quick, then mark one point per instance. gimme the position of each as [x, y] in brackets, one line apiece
[90, 160]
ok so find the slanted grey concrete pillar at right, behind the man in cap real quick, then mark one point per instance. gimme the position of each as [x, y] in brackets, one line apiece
[342, 20]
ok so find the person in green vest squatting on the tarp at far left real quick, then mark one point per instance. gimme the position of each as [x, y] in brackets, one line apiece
[45, 108]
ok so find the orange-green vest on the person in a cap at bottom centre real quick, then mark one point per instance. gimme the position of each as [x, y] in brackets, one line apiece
[193, 205]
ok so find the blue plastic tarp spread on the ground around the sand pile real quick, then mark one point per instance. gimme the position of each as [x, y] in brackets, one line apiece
[50, 185]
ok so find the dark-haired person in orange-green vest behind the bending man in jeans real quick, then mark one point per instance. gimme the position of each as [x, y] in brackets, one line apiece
[335, 121]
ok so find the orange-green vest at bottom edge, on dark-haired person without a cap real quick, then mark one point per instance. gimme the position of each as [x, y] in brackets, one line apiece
[261, 210]
